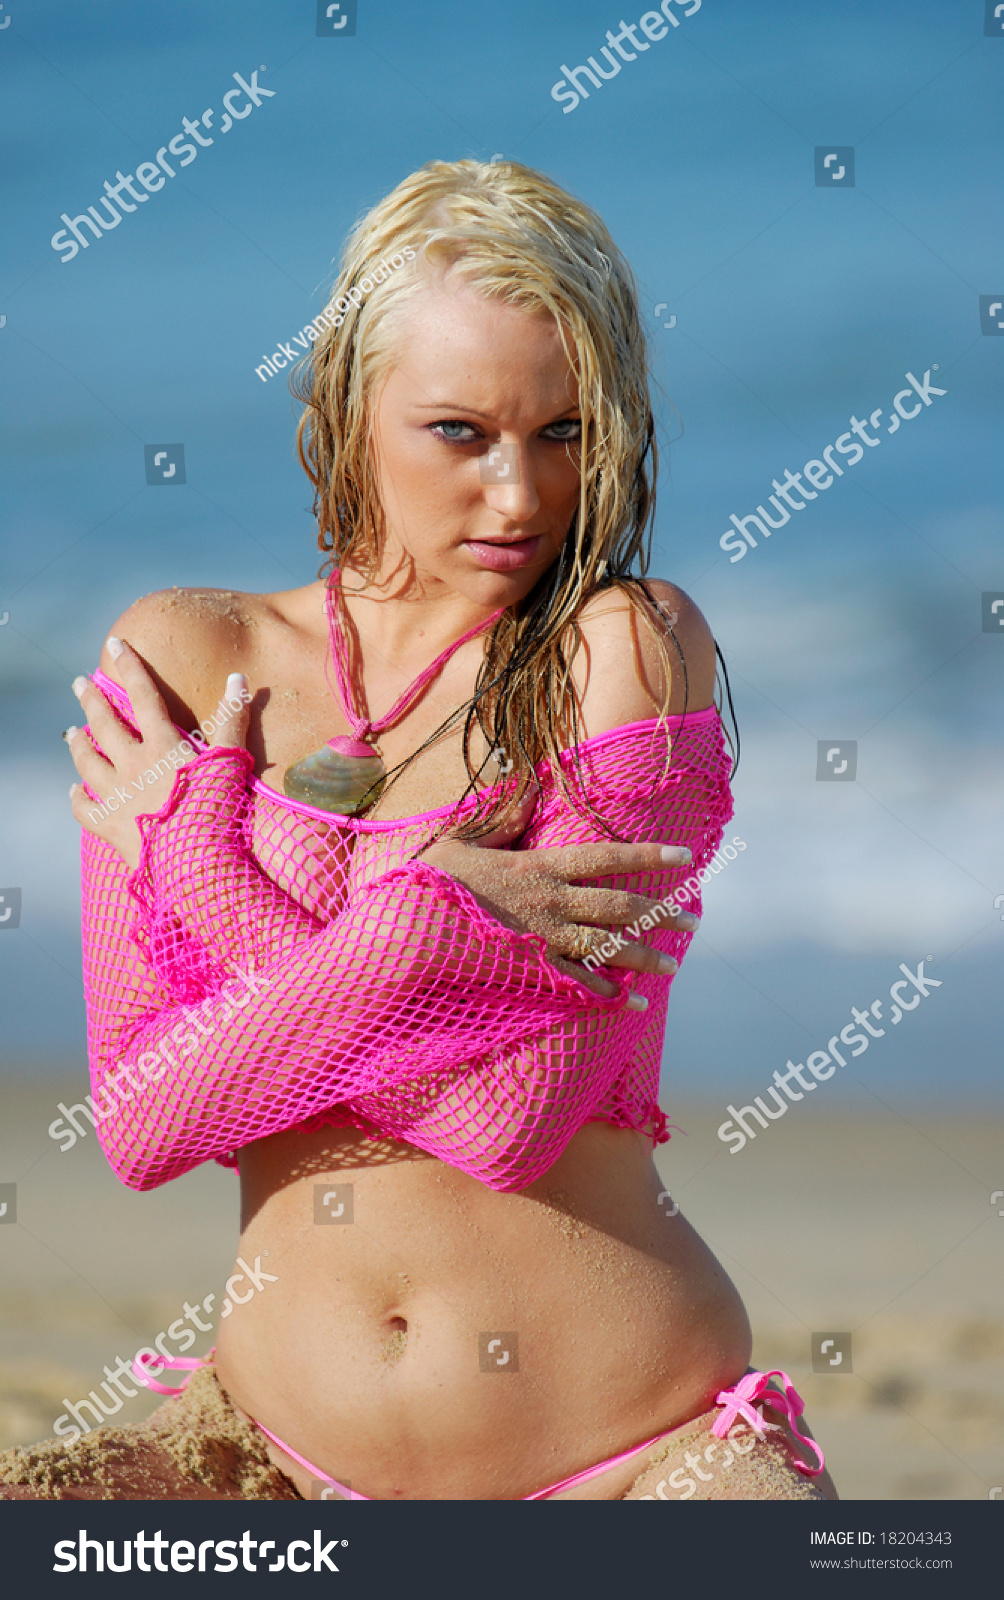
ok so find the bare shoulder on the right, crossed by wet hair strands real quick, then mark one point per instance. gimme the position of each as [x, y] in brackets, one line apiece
[623, 674]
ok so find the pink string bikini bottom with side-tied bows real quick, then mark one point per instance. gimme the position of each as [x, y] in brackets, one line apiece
[736, 1402]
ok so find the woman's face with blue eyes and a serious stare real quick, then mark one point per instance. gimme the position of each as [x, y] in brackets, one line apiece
[476, 438]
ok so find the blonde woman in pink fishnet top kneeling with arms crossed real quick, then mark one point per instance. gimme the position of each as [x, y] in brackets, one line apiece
[340, 977]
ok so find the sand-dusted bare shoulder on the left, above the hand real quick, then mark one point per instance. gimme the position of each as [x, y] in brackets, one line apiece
[191, 641]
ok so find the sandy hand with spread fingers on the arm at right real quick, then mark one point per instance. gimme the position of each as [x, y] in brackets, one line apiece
[540, 892]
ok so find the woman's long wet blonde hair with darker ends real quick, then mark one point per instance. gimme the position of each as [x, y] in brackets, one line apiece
[511, 234]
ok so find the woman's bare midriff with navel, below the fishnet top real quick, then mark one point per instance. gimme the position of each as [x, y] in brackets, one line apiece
[370, 1353]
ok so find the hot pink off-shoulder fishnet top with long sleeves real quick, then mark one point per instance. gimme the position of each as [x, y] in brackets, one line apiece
[274, 967]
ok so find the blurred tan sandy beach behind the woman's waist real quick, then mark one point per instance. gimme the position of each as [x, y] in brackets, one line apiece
[871, 1226]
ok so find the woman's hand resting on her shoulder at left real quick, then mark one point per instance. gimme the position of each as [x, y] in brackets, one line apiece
[135, 775]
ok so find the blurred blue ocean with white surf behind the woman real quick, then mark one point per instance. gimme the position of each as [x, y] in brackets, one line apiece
[797, 306]
